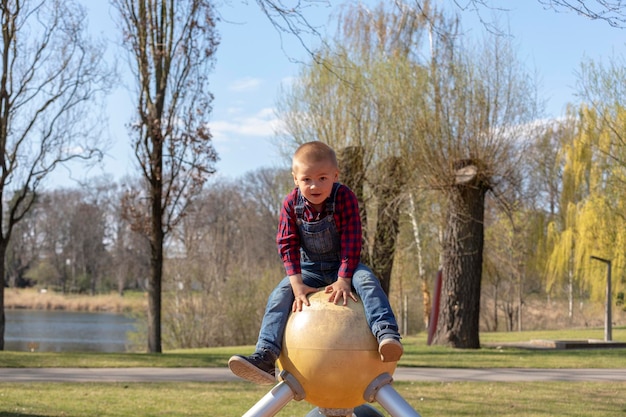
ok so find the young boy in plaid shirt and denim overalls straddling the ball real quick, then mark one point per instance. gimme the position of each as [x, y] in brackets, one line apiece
[319, 241]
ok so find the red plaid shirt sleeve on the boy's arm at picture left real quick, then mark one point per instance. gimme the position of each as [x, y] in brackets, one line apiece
[288, 237]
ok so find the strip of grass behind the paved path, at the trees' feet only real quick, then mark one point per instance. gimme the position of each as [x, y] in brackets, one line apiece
[417, 354]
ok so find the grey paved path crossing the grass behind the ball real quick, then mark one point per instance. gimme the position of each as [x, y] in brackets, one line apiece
[224, 375]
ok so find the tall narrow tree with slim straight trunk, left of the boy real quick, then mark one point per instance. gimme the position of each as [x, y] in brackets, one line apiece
[171, 46]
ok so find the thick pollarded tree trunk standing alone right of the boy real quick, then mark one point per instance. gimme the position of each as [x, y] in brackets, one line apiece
[462, 264]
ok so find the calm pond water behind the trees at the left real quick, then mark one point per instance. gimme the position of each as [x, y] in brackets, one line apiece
[65, 331]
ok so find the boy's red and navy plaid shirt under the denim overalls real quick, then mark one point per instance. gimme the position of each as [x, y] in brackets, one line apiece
[347, 221]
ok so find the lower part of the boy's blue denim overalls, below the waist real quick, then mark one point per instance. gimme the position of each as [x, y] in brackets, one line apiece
[378, 311]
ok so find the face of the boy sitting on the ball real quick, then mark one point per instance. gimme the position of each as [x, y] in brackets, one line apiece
[315, 181]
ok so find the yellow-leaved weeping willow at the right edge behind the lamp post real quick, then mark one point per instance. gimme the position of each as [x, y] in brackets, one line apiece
[592, 205]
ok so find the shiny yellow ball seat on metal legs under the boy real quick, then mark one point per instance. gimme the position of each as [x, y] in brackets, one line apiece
[330, 350]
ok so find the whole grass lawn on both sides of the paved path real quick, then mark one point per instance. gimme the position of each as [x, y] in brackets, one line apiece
[475, 399]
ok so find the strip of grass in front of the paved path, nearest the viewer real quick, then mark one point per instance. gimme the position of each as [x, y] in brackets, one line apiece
[458, 399]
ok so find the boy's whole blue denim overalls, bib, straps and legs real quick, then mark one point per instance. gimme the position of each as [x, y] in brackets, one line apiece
[320, 261]
